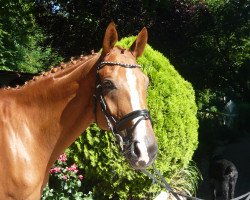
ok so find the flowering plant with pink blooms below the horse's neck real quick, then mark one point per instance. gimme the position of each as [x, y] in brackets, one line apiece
[65, 182]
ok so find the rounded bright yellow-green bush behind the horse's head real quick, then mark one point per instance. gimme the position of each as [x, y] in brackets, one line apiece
[172, 105]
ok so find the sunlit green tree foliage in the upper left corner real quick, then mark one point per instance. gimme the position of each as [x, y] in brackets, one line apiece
[21, 40]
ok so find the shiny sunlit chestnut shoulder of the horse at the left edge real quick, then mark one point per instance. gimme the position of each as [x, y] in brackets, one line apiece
[19, 176]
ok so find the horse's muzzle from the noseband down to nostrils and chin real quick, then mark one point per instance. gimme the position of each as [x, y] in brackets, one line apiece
[138, 143]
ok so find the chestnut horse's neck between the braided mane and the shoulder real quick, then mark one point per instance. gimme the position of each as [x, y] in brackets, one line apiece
[62, 105]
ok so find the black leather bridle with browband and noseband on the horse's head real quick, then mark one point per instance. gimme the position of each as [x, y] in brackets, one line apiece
[115, 125]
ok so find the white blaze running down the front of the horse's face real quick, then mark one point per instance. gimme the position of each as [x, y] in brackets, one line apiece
[140, 130]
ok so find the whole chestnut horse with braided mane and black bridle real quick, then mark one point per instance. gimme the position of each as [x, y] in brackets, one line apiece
[39, 120]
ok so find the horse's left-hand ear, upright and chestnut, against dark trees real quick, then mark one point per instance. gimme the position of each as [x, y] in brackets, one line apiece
[110, 38]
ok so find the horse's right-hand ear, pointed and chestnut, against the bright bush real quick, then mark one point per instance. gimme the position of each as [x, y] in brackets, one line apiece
[139, 44]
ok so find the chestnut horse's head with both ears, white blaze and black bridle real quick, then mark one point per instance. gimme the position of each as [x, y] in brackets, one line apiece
[121, 90]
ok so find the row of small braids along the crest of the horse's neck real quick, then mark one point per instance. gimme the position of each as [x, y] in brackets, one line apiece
[73, 61]
